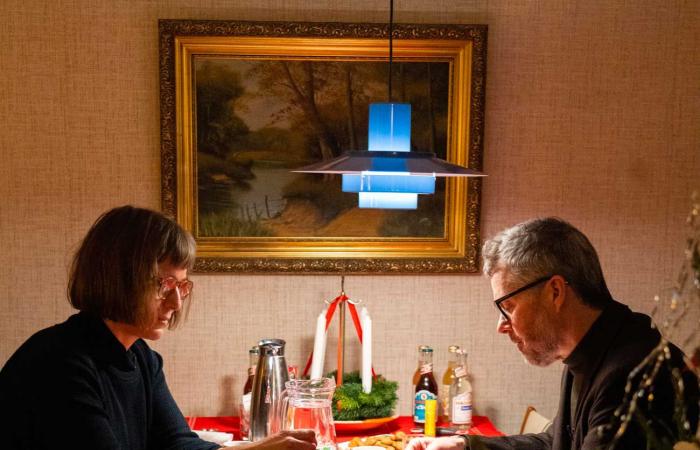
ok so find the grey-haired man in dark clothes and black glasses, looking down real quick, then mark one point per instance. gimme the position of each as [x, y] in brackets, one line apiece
[554, 305]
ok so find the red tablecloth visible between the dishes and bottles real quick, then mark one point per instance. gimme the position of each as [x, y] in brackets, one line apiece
[482, 426]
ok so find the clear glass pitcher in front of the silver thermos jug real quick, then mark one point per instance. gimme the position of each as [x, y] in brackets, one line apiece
[306, 404]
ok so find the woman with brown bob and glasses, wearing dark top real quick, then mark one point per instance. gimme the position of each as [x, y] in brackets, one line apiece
[92, 381]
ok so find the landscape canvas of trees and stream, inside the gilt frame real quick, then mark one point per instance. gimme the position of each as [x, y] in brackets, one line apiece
[256, 120]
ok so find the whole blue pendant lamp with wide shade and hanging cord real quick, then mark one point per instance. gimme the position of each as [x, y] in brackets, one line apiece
[389, 175]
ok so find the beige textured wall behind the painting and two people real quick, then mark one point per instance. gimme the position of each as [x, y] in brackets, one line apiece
[592, 114]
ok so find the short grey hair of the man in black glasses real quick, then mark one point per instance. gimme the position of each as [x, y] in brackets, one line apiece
[548, 246]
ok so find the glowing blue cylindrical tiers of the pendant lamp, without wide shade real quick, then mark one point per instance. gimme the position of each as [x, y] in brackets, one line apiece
[388, 185]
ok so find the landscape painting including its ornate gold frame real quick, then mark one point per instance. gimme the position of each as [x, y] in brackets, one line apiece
[245, 103]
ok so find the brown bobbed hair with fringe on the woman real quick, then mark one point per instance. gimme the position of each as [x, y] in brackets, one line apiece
[113, 275]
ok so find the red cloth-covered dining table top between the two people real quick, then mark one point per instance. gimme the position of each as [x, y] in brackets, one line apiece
[345, 431]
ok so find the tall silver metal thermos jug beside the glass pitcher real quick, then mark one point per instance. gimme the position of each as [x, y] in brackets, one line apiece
[270, 375]
